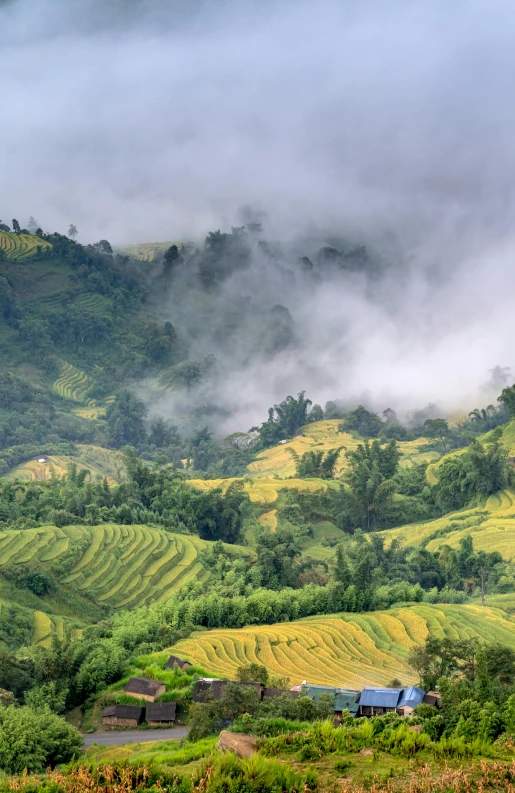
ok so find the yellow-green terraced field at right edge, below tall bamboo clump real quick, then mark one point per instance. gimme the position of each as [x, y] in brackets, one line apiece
[492, 528]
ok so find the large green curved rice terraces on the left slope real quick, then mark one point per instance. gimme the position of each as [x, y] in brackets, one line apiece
[124, 566]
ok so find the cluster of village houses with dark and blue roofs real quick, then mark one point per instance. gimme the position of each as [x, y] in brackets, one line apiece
[370, 701]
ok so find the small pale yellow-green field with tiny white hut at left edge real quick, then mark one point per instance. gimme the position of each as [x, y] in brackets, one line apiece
[99, 462]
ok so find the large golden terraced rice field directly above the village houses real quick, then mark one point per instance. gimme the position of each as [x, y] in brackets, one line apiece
[353, 650]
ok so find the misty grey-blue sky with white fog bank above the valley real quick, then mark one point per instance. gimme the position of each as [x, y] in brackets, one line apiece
[388, 122]
